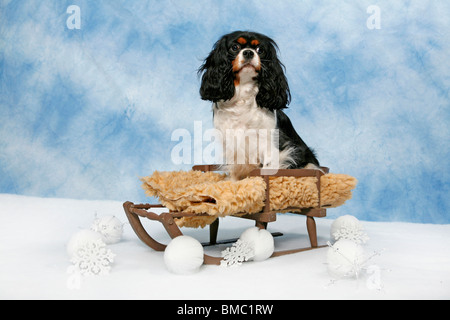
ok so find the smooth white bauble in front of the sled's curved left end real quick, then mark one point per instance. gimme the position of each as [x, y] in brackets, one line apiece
[183, 255]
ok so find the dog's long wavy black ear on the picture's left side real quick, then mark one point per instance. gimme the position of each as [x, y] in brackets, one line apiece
[217, 79]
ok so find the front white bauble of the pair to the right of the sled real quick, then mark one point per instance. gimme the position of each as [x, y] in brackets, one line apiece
[345, 258]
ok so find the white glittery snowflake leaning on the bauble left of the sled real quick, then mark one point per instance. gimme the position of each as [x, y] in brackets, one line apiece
[93, 258]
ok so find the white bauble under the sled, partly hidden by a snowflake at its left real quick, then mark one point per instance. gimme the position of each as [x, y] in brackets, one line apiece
[261, 241]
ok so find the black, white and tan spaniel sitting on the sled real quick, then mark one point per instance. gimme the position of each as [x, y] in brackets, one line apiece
[245, 80]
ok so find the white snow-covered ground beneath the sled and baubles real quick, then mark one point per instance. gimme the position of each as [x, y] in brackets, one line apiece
[413, 260]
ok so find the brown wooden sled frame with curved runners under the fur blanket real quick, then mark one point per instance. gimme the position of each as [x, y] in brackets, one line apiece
[136, 211]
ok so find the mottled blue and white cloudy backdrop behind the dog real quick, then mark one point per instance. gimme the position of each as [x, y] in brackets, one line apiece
[86, 112]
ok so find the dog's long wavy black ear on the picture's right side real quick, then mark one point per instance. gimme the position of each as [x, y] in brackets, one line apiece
[274, 90]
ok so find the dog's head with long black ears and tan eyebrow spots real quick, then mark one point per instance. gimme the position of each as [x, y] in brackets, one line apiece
[245, 53]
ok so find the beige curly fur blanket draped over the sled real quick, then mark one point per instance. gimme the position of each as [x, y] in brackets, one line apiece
[214, 194]
